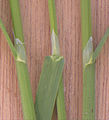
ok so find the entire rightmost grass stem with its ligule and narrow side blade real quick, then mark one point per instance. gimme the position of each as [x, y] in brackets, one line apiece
[89, 58]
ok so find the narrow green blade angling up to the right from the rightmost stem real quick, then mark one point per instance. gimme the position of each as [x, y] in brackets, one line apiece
[100, 45]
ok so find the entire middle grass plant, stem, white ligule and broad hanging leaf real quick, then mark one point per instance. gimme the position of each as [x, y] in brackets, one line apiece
[51, 77]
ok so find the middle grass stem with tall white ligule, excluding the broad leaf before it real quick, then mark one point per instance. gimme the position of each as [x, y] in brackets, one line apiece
[56, 51]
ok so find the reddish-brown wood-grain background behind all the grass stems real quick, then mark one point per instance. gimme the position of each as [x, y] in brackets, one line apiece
[36, 28]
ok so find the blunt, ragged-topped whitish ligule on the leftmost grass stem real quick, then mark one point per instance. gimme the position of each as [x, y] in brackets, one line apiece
[21, 55]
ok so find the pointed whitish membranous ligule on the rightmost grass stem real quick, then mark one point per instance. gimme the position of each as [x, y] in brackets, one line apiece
[88, 53]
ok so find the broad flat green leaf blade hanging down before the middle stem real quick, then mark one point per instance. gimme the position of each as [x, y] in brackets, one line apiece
[48, 87]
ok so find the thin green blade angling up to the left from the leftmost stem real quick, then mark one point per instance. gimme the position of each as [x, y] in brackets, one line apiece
[14, 52]
